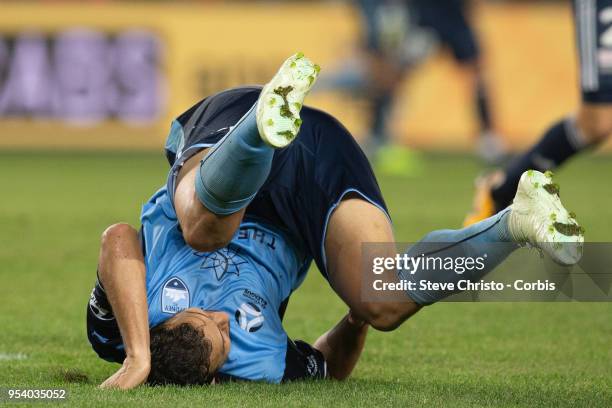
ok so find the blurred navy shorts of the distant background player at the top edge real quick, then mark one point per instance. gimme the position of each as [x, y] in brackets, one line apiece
[447, 18]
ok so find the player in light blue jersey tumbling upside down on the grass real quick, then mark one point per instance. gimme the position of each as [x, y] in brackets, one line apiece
[242, 216]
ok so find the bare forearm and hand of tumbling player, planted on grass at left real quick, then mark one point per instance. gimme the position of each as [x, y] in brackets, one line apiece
[122, 274]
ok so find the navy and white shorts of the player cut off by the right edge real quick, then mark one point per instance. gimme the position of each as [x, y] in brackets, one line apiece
[593, 20]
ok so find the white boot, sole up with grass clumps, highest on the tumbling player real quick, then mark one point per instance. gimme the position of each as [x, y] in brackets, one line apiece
[280, 101]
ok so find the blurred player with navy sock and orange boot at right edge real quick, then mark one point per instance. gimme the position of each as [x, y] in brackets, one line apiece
[575, 132]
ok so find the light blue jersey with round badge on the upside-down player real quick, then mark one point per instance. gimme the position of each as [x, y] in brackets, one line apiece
[249, 280]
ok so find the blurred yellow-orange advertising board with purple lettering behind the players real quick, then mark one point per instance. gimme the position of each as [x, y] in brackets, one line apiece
[111, 74]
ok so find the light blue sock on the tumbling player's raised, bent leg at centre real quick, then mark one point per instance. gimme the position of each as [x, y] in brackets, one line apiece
[235, 169]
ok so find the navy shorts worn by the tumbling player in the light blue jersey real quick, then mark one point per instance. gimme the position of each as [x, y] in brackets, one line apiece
[308, 178]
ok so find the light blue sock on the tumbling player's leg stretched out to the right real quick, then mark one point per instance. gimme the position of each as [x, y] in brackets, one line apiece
[490, 237]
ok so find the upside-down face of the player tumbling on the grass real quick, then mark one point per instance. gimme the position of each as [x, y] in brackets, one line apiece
[214, 326]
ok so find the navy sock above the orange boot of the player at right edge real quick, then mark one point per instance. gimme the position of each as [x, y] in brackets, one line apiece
[559, 143]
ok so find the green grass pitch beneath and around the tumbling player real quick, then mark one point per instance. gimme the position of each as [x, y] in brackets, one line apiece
[54, 206]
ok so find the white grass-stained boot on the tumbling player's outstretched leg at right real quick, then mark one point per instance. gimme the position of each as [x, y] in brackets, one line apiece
[538, 218]
